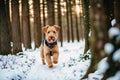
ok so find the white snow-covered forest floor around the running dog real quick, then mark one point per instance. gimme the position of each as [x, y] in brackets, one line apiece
[27, 65]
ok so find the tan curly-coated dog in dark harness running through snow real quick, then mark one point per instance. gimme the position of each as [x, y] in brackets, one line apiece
[49, 45]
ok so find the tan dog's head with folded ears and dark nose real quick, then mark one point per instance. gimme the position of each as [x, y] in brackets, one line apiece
[51, 33]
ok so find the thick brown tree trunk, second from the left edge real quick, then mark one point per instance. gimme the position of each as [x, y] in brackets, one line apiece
[16, 36]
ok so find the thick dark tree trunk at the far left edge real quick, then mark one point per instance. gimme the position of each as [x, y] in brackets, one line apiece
[5, 47]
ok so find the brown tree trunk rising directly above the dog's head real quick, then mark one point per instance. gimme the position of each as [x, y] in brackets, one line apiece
[50, 12]
